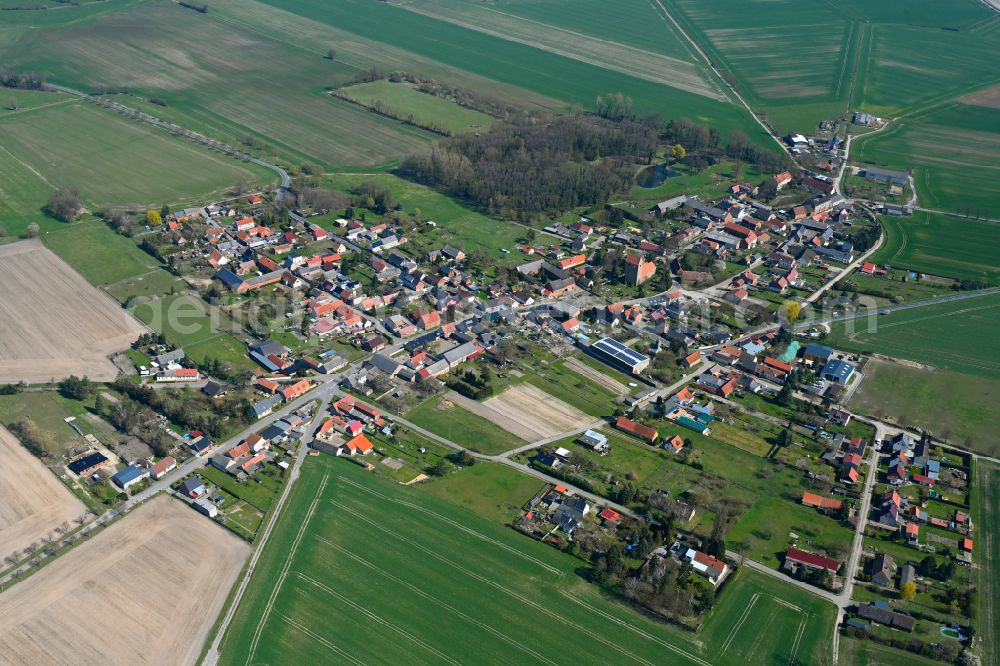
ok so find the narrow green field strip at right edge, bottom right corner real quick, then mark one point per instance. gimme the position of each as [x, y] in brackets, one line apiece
[986, 499]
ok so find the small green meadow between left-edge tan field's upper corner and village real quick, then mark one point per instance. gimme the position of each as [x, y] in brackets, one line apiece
[98, 253]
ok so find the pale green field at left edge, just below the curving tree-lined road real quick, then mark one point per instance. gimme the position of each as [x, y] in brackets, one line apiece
[112, 160]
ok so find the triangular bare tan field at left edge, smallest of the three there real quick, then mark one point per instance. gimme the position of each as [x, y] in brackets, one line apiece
[32, 501]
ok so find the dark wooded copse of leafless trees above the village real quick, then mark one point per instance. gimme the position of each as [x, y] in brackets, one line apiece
[528, 166]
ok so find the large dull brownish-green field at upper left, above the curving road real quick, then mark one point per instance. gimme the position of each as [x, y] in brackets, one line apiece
[237, 75]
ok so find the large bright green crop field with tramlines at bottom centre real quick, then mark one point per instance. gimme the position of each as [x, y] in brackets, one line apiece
[360, 569]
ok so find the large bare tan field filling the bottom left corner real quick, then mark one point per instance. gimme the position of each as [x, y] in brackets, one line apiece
[144, 590]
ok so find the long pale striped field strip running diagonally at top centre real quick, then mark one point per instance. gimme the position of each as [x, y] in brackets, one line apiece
[614, 56]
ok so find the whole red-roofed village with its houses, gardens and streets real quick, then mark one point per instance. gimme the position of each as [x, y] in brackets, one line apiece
[664, 331]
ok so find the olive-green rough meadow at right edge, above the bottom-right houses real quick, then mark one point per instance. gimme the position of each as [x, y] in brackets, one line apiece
[954, 405]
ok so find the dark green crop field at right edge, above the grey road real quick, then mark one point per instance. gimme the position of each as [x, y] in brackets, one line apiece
[941, 245]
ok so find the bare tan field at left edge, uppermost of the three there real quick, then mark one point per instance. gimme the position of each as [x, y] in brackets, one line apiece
[54, 324]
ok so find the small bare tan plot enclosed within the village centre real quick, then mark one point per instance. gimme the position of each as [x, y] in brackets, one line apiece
[528, 412]
